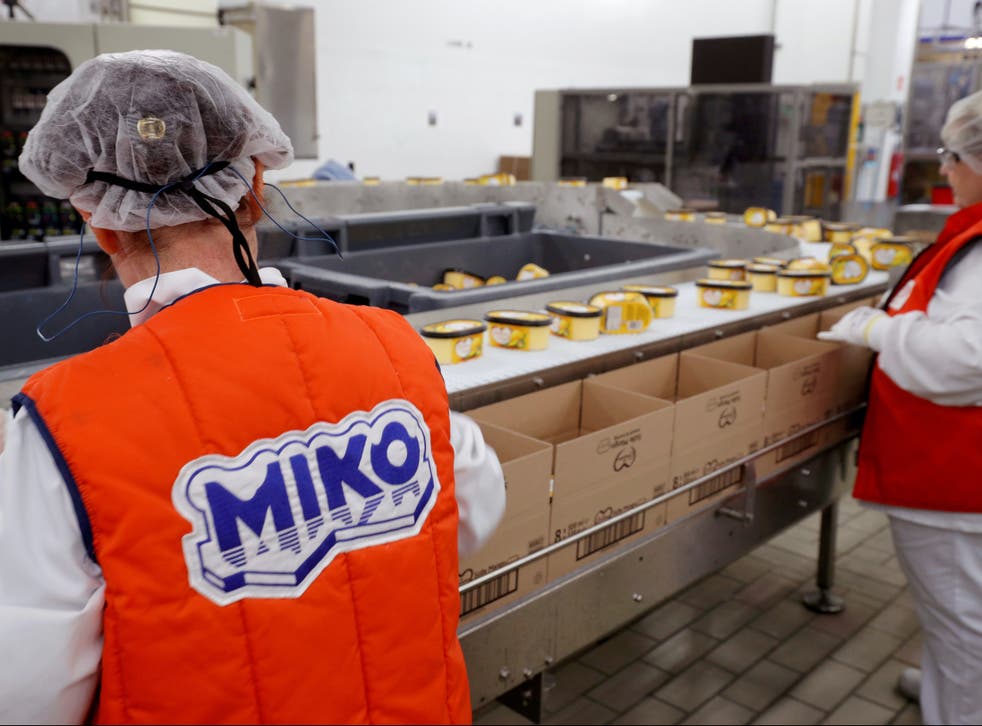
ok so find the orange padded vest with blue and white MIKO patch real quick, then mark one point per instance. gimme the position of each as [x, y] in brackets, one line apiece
[266, 480]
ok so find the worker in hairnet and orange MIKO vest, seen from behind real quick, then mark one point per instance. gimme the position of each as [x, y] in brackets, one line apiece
[245, 509]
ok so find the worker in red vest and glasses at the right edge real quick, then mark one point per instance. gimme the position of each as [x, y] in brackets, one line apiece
[920, 455]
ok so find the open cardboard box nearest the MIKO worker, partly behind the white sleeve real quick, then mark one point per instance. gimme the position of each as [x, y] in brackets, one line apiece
[524, 529]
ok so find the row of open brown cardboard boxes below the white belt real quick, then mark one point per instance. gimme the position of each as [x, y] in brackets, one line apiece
[614, 441]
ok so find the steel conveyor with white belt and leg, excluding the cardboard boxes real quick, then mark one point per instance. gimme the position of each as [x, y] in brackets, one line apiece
[509, 648]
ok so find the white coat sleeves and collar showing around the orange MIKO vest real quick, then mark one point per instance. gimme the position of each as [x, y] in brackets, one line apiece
[52, 594]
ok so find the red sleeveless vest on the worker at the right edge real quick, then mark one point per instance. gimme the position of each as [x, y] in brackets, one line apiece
[915, 453]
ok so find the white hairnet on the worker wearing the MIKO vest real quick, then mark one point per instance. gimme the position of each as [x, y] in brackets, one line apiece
[153, 117]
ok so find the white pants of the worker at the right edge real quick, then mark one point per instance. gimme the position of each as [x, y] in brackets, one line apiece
[944, 574]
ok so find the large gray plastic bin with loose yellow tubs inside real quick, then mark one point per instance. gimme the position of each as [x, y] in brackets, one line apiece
[402, 279]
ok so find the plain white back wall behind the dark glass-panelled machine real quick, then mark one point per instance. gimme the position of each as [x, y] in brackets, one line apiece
[383, 65]
